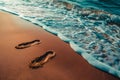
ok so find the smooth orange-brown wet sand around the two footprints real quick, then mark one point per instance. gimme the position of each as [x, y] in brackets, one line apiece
[14, 63]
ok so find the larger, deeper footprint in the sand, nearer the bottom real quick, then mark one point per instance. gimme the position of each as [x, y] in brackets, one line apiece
[40, 61]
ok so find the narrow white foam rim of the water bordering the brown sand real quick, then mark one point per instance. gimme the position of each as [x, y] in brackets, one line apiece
[90, 59]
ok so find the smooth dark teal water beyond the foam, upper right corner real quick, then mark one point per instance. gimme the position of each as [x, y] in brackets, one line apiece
[112, 6]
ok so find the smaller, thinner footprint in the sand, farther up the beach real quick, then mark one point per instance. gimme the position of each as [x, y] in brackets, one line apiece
[27, 44]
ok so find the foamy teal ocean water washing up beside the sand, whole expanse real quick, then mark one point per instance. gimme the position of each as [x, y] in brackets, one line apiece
[91, 27]
